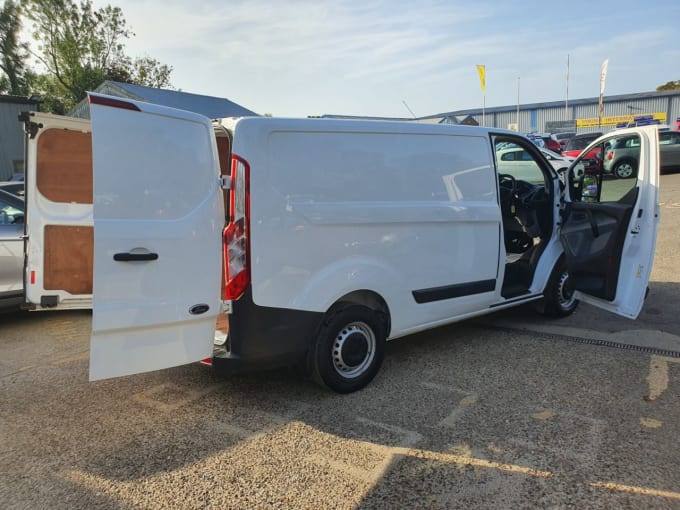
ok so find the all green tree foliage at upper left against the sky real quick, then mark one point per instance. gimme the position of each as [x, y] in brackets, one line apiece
[76, 46]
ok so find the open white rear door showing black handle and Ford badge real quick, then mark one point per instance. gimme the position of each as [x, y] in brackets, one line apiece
[158, 221]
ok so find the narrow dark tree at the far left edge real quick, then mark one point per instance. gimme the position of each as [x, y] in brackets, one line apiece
[15, 76]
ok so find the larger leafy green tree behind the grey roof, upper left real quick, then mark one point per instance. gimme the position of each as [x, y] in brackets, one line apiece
[80, 47]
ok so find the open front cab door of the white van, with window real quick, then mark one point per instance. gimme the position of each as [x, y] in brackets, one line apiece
[611, 220]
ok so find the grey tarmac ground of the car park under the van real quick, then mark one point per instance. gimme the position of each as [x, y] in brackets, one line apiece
[507, 411]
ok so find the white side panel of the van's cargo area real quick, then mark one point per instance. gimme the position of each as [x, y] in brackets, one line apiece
[372, 208]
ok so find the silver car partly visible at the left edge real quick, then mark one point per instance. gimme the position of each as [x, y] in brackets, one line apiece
[11, 249]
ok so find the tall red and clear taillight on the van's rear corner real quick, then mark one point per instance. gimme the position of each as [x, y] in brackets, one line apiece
[236, 243]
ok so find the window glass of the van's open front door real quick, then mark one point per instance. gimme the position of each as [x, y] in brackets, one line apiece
[606, 172]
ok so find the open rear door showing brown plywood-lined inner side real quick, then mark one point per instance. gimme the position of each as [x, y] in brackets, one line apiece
[58, 196]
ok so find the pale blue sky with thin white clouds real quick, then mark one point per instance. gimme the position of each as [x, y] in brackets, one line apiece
[296, 58]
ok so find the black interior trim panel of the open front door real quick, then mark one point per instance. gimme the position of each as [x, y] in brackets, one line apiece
[593, 235]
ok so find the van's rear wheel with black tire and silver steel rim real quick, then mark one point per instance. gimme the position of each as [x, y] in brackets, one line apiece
[349, 348]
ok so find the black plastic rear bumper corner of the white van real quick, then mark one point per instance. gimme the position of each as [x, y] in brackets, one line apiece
[264, 337]
